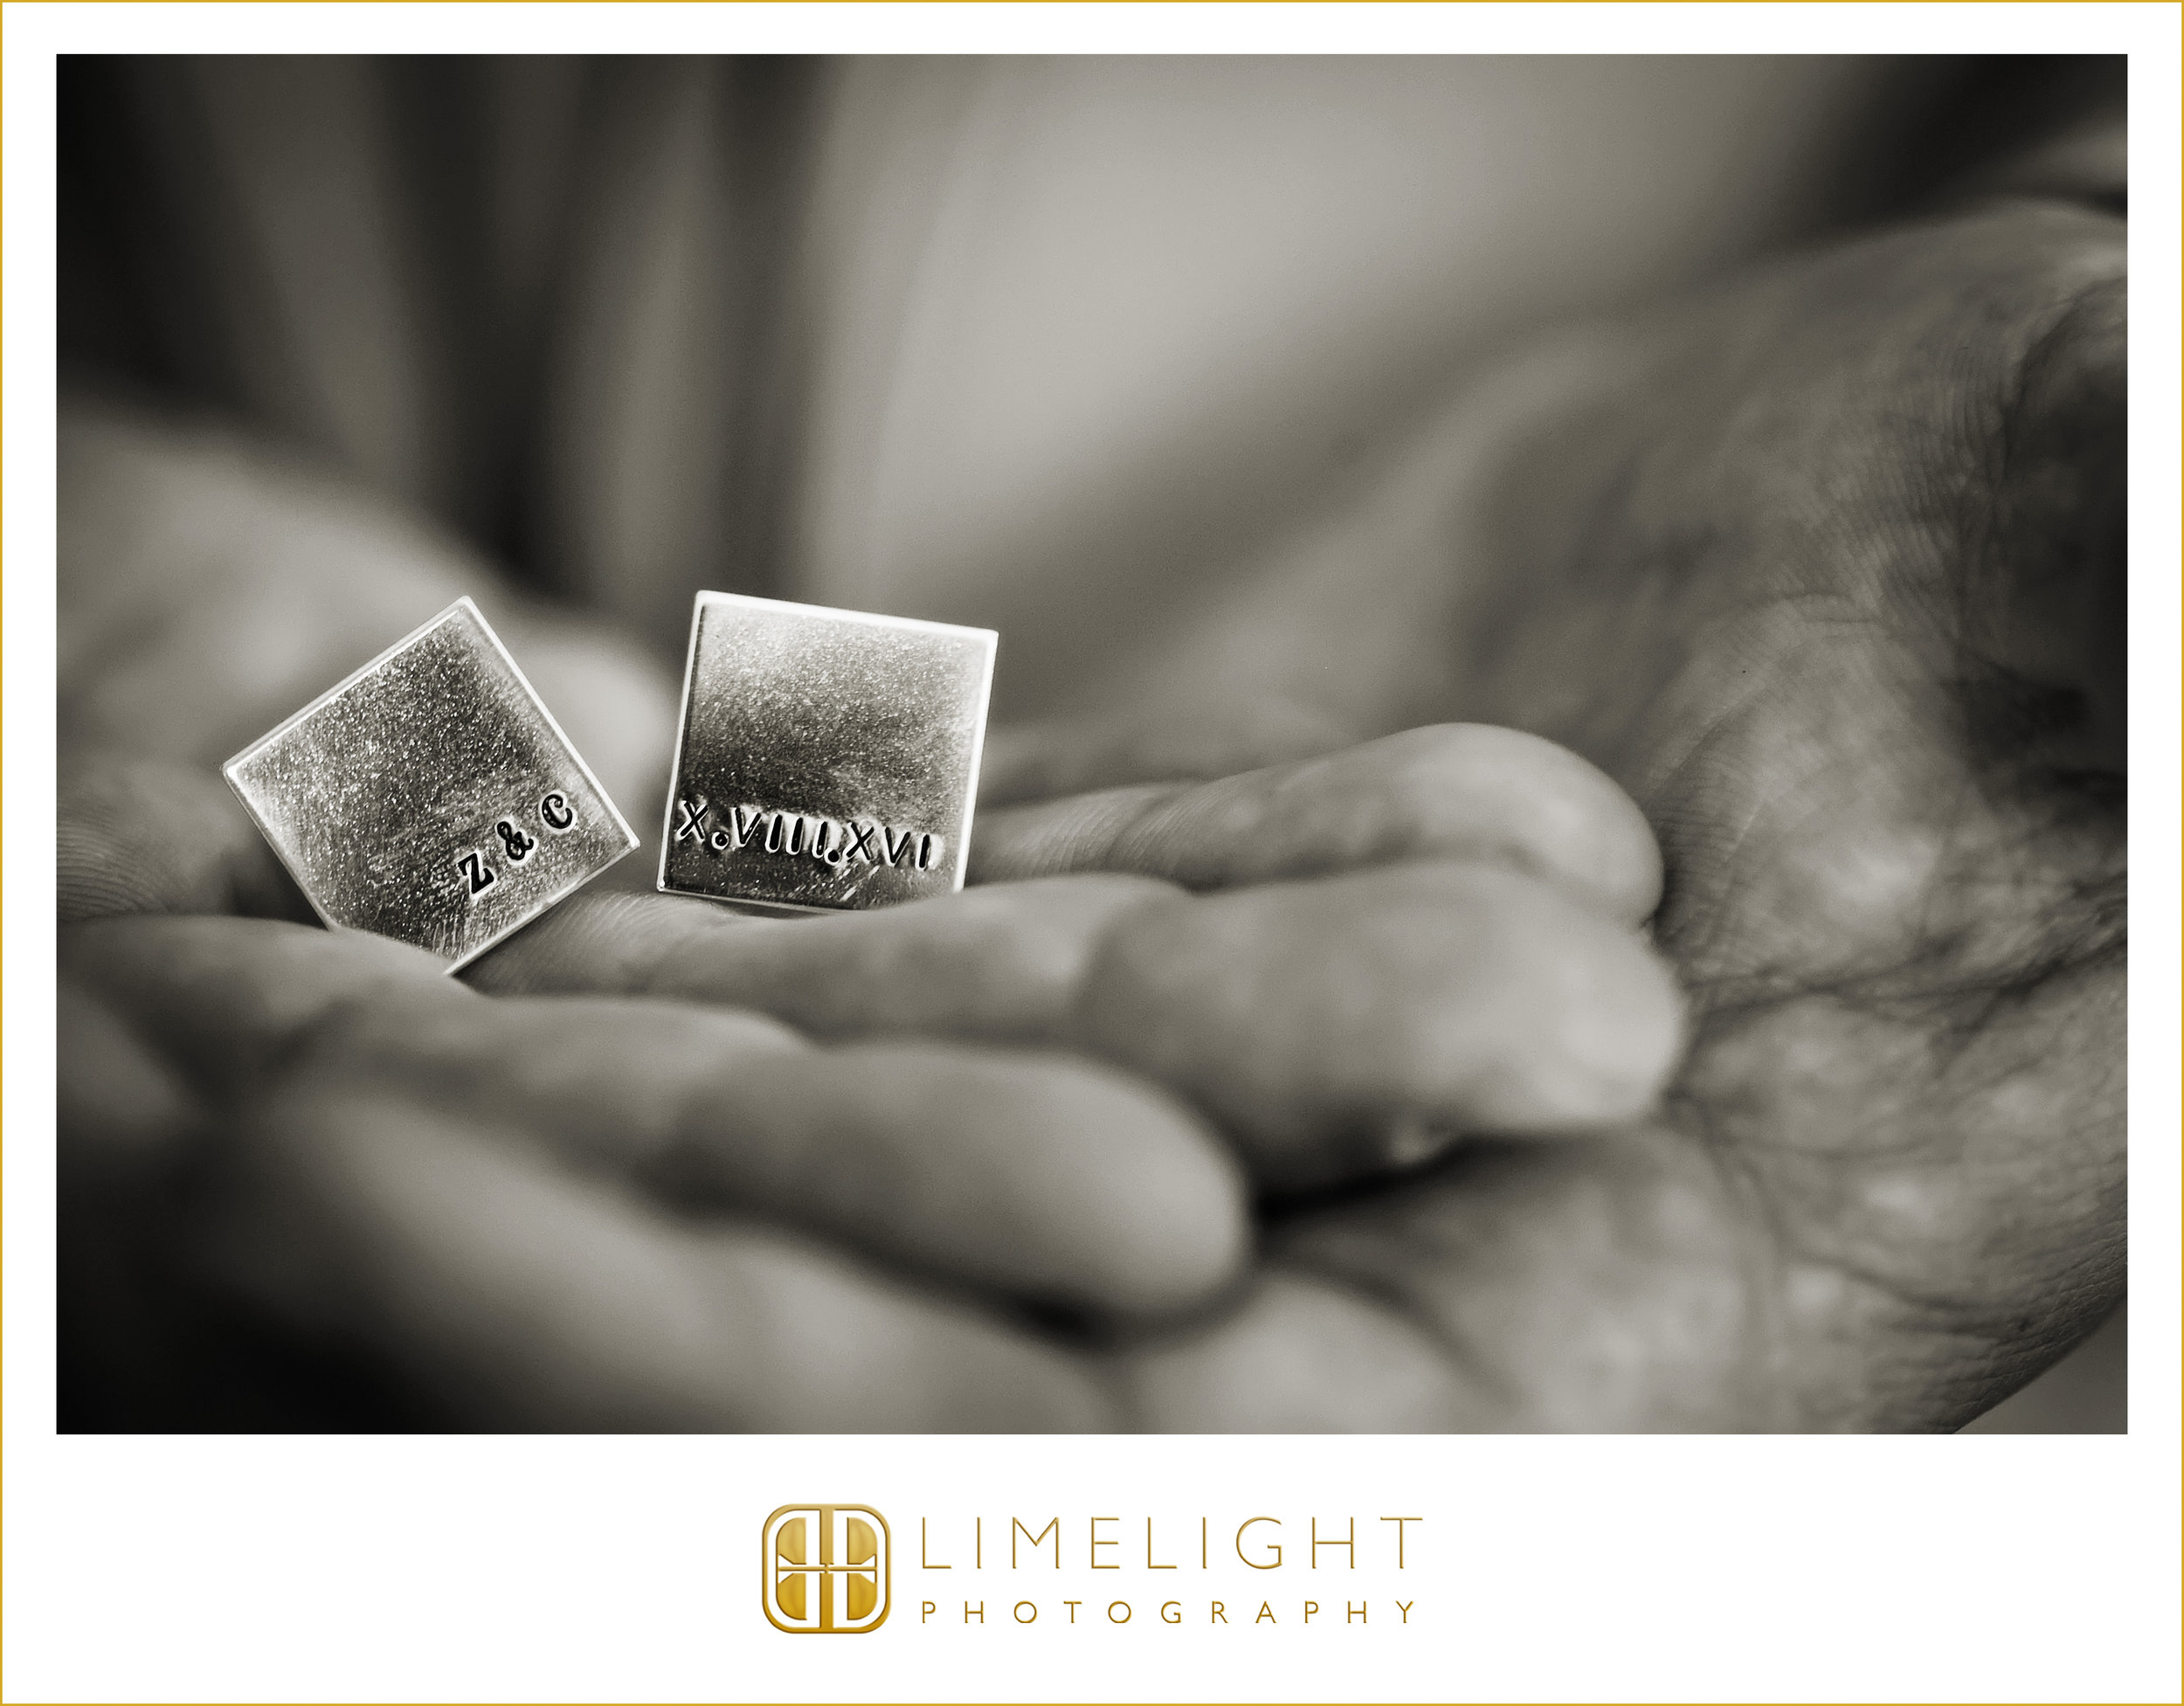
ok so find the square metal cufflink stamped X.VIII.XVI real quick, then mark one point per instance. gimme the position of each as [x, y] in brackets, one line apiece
[827, 759]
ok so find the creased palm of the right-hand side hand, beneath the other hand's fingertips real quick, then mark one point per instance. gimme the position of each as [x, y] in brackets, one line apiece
[1827, 571]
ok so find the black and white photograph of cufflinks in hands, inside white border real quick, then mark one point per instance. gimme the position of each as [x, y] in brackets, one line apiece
[1095, 744]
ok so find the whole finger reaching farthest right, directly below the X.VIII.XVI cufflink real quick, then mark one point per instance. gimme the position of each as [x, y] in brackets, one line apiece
[1320, 1021]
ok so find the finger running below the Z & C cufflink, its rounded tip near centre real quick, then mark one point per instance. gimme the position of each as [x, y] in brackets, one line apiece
[1038, 1174]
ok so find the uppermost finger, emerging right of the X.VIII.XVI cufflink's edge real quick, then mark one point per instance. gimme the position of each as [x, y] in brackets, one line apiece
[1451, 792]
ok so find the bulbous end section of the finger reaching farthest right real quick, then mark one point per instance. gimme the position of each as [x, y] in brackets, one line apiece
[1322, 1019]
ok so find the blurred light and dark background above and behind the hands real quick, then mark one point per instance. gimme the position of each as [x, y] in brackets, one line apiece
[1034, 344]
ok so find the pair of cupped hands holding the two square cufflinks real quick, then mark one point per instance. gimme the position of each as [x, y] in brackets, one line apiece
[1825, 571]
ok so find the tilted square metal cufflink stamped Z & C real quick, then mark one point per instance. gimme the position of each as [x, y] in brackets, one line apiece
[431, 796]
